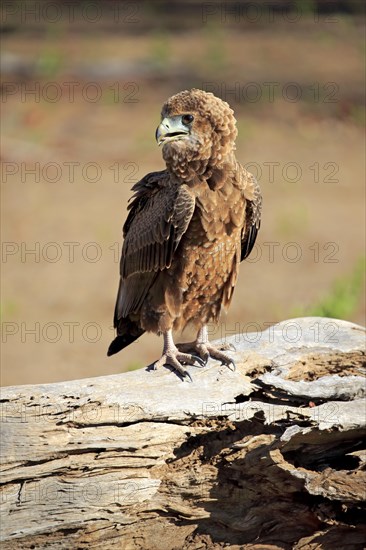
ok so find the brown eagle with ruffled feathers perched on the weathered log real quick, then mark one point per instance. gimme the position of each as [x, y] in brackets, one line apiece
[187, 230]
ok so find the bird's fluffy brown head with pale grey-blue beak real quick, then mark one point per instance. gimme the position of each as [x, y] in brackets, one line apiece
[197, 132]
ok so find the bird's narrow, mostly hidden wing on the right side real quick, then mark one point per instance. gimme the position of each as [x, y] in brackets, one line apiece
[253, 210]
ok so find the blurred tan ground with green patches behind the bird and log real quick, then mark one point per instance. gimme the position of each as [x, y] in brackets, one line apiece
[82, 91]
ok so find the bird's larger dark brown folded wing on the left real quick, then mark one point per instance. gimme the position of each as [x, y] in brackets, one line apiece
[159, 215]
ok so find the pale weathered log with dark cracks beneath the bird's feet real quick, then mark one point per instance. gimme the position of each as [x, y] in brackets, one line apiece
[269, 456]
